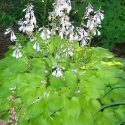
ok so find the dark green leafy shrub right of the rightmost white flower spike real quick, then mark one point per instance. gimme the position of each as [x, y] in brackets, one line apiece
[114, 23]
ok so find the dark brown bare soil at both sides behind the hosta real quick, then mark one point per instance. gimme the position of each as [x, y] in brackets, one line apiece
[5, 42]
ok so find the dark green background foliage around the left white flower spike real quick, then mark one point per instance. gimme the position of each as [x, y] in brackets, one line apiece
[11, 11]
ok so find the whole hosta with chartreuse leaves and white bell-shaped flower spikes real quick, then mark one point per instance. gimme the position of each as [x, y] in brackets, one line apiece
[51, 75]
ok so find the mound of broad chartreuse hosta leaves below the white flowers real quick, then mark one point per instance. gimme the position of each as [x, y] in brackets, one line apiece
[87, 93]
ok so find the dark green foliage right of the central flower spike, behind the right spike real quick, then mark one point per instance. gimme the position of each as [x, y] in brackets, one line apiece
[112, 30]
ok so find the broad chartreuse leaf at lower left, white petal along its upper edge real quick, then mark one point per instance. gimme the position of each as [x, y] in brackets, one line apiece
[36, 108]
